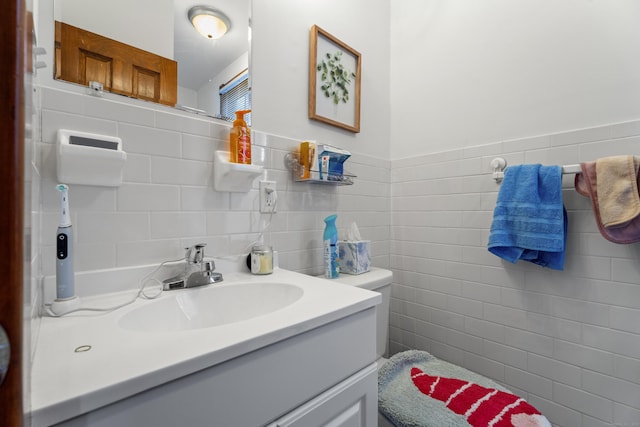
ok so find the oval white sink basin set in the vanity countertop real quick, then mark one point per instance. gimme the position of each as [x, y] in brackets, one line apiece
[210, 306]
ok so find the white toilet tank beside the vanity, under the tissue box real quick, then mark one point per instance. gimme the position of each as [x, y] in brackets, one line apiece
[379, 280]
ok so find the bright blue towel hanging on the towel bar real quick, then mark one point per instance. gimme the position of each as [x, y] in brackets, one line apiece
[529, 220]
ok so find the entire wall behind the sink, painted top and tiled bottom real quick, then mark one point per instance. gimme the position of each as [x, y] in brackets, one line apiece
[167, 200]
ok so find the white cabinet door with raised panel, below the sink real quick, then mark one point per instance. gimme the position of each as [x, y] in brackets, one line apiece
[352, 403]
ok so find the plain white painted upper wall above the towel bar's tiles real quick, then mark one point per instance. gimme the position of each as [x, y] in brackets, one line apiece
[466, 72]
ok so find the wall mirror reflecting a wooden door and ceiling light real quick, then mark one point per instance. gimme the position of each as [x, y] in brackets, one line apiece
[162, 28]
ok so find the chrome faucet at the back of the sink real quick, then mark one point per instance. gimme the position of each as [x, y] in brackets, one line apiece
[198, 272]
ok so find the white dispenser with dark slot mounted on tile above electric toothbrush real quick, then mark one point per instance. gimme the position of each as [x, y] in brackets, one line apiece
[89, 159]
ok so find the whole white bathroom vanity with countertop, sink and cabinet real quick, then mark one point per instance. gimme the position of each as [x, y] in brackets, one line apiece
[309, 361]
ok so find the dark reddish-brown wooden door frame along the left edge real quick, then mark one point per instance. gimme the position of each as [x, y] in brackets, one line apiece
[13, 34]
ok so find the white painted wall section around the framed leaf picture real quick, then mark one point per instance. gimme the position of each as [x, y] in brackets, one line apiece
[280, 55]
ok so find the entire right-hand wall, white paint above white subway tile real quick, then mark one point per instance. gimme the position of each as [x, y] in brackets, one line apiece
[475, 80]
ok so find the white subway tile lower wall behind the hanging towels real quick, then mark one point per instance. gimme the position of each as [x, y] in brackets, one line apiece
[568, 341]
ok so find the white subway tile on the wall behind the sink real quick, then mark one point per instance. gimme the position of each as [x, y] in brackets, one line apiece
[167, 200]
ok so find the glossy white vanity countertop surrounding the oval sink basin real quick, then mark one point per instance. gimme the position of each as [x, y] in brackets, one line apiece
[122, 362]
